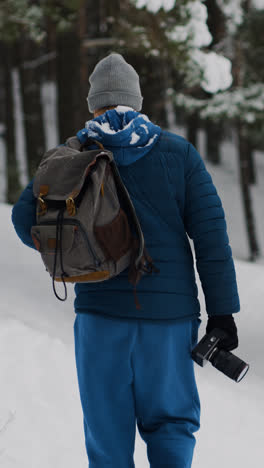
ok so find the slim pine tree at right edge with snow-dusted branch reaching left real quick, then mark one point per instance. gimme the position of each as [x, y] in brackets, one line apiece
[241, 106]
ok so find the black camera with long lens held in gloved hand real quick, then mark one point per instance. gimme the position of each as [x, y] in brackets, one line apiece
[209, 349]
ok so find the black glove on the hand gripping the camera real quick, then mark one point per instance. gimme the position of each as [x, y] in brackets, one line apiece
[226, 323]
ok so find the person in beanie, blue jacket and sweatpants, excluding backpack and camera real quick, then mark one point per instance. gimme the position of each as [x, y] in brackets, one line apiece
[116, 344]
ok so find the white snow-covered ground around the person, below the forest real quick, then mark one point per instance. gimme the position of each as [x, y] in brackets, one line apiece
[40, 410]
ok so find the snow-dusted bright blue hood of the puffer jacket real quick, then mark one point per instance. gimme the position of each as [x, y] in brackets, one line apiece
[130, 135]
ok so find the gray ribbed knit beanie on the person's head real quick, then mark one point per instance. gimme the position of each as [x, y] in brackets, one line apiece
[114, 82]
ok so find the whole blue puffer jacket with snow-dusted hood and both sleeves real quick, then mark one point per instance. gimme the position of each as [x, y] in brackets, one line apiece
[173, 195]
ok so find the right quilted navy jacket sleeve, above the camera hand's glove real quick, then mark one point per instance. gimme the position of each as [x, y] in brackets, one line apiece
[205, 224]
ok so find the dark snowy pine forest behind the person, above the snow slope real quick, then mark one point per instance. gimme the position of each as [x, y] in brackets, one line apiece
[200, 63]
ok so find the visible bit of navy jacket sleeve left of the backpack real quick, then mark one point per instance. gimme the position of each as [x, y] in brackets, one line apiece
[24, 215]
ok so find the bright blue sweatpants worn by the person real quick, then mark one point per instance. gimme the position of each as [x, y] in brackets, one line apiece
[133, 371]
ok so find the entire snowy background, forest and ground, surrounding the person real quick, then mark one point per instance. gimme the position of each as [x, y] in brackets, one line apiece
[201, 67]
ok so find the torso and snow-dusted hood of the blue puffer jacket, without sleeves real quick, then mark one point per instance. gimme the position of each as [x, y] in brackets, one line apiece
[152, 168]
